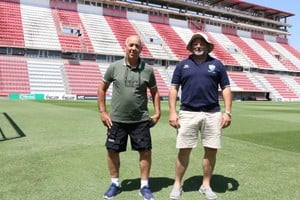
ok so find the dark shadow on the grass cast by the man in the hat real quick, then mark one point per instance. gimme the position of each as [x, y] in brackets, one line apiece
[219, 184]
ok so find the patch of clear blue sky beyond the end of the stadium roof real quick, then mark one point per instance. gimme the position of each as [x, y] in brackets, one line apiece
[291, 6]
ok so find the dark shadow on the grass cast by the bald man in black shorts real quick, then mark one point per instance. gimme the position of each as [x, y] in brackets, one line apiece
[156, 183]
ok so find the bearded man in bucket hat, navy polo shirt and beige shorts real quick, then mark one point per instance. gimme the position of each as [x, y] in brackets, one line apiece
[199, 76]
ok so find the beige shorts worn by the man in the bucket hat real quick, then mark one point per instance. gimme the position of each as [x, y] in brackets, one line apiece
[191, 123]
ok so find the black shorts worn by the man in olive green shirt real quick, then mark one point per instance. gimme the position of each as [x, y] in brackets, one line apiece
[139, 133]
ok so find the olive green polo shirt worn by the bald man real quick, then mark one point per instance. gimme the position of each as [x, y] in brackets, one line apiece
[129, 103]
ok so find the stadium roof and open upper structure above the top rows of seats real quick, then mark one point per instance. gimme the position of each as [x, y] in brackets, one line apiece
[230, 12]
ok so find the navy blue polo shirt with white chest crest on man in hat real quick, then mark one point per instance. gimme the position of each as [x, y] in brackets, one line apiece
[200, 83]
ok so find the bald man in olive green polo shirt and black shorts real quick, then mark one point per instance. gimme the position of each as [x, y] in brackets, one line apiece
[129, 115]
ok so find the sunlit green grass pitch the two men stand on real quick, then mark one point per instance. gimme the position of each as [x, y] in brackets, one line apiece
[63, 157]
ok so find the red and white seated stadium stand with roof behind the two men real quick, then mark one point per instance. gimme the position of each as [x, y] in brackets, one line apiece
[66, 45]
